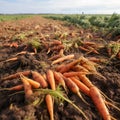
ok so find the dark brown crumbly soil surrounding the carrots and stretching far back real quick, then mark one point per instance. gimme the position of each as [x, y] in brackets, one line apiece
[20, 32]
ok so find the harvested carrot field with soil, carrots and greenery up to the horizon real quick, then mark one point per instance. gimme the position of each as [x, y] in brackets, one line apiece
[60, 67]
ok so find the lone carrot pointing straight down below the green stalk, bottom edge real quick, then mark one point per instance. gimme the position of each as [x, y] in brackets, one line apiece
[50, 108]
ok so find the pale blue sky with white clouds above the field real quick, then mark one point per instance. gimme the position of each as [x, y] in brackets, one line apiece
[60, 6]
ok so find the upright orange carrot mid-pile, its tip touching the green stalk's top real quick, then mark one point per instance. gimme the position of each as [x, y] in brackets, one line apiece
[50, 78]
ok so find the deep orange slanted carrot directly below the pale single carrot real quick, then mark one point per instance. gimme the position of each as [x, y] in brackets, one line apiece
[68, 66]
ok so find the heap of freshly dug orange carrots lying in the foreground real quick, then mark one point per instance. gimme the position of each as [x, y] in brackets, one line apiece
[72, 76]
